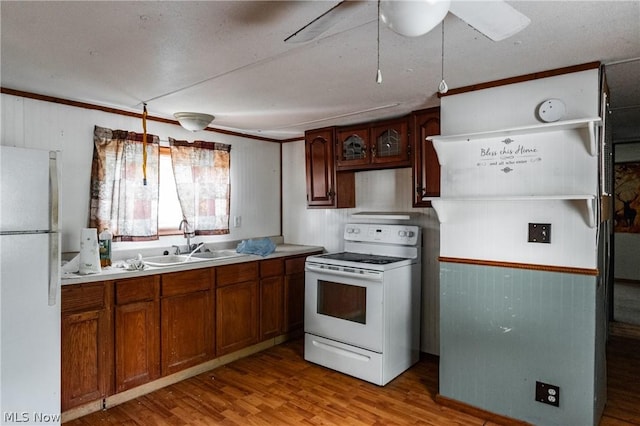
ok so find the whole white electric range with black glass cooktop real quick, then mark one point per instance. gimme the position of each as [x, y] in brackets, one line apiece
[362, 306]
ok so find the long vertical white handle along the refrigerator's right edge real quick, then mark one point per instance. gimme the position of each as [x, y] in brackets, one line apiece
[54, 236]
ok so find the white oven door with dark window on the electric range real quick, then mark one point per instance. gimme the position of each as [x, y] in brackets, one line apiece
[344, 305]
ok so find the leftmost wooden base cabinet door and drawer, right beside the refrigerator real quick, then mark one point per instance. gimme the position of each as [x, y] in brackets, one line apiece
[87, 344]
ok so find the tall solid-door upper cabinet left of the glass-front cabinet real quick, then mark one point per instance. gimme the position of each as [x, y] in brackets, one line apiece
[326, 188]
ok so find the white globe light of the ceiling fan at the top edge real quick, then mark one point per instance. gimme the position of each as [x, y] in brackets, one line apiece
[413, 18]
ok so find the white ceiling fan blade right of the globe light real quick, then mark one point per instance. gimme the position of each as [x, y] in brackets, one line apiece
[495, 19]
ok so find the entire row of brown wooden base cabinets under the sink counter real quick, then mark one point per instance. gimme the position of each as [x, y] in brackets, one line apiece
[117, 335]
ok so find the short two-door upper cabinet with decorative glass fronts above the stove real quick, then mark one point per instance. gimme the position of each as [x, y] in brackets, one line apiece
[376, 145]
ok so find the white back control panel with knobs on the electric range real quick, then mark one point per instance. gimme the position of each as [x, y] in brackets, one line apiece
[380, 233]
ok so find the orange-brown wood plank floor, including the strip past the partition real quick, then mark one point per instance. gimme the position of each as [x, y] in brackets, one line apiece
[277, 387]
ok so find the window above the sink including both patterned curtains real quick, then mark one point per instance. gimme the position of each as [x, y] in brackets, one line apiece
[141, 191]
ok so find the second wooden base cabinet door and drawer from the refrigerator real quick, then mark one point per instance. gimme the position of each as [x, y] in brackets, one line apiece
[137, 331]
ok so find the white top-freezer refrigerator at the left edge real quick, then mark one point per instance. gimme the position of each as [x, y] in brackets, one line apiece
[29, 287]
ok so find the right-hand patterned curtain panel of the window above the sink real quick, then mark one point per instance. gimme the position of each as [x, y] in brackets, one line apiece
[201, 170]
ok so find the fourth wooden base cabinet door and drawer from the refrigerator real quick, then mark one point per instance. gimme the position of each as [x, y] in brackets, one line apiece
[237, 292]
